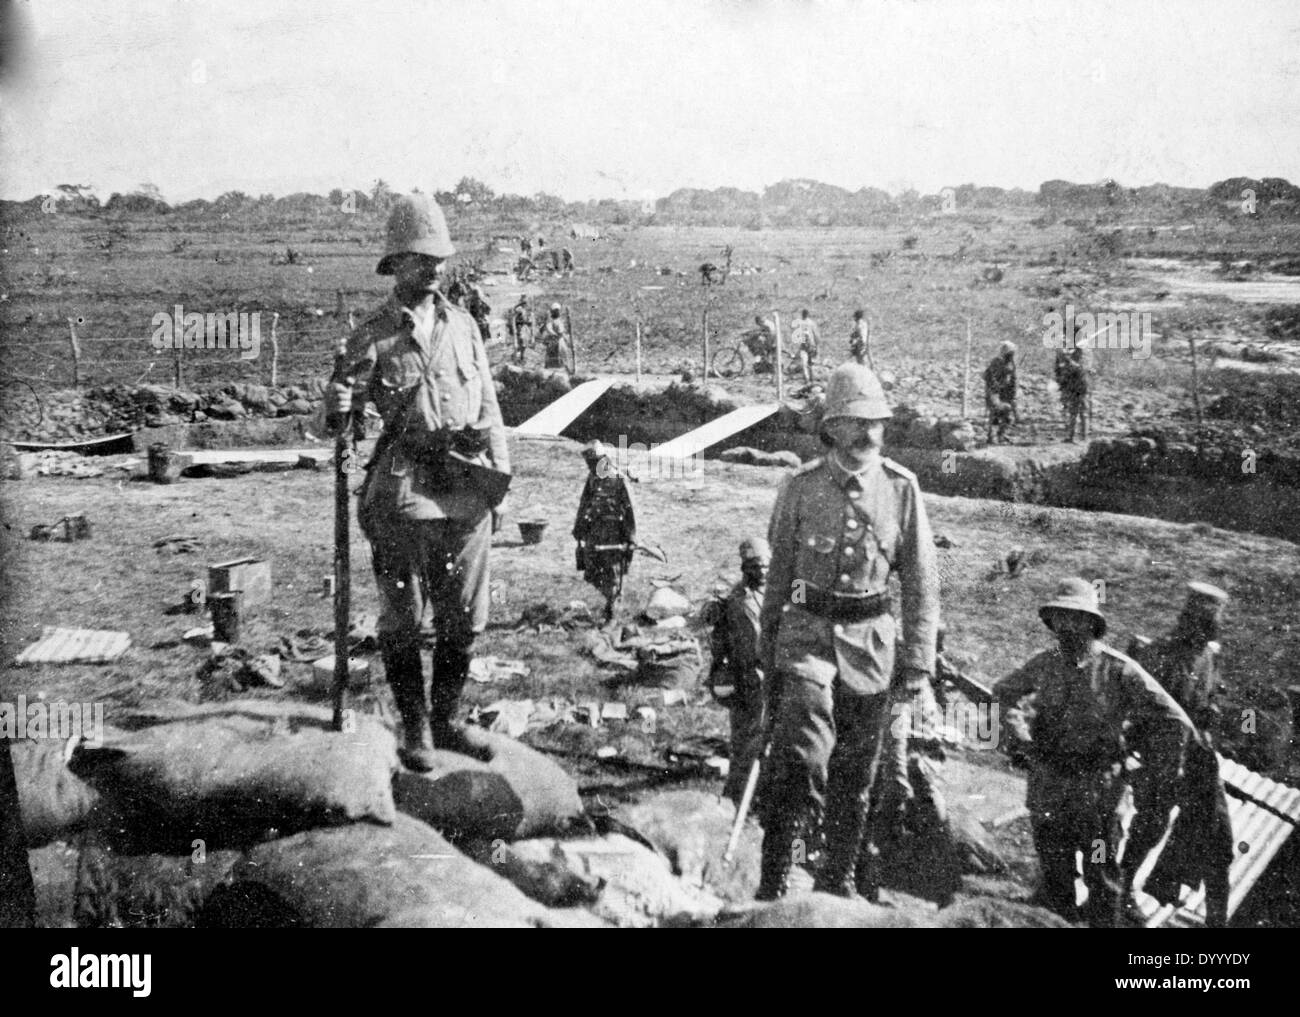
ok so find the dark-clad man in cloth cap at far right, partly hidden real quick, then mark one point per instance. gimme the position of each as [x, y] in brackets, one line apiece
[1186, 665]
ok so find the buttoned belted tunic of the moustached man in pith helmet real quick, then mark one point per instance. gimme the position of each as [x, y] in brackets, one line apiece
[844, 533]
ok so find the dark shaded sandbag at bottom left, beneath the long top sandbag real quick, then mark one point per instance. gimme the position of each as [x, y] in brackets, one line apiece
[146, 892]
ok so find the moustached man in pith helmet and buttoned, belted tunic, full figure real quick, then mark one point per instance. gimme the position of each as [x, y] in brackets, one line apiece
[843, 527]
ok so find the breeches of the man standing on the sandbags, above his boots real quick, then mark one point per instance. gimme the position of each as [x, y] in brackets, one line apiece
[441, 562]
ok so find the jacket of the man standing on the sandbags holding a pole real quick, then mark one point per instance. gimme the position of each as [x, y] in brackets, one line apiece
[458, 390]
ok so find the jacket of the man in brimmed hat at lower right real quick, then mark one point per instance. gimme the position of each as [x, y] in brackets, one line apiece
[1086, 715]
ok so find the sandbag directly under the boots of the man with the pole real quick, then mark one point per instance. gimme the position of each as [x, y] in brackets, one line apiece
[510, 793]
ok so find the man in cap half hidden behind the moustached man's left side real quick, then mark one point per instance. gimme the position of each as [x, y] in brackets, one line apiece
[736, 677]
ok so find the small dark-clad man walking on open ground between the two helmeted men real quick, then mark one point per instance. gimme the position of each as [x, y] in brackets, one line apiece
[606, 526]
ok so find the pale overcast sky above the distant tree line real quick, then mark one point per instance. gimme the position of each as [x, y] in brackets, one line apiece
[636, 98]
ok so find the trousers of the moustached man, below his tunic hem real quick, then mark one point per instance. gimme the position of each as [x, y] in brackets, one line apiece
[826, 737]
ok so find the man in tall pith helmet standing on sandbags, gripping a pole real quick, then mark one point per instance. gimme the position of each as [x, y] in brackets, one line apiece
[434, 491]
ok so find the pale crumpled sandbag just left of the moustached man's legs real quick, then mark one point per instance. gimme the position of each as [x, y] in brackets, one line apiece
[691, 830]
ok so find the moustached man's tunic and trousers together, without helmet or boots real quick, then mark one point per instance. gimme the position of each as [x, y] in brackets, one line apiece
[848, 534]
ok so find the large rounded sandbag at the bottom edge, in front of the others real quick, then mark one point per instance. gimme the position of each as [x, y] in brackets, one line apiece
[366, 876]
